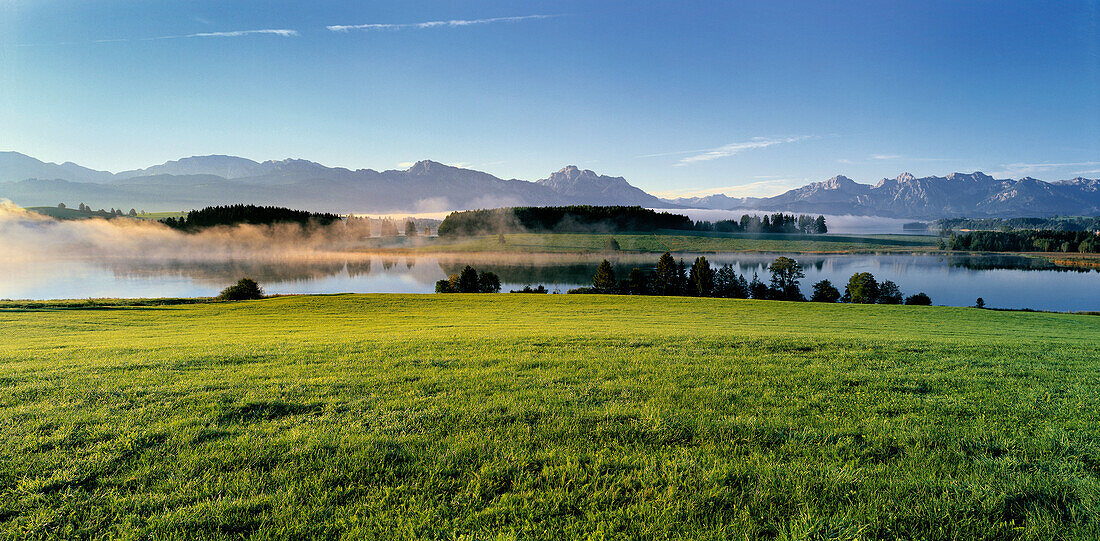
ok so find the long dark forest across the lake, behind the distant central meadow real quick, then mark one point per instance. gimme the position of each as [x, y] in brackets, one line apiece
[604, 219]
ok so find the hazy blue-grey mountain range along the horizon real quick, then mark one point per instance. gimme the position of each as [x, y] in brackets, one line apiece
[431, 187]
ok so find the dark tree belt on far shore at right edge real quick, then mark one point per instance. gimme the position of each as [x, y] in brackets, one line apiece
[1085, 242]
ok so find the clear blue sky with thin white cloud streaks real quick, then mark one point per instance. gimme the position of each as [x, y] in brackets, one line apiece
[746, 98]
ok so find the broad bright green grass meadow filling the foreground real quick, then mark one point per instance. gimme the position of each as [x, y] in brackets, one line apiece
[548, 417]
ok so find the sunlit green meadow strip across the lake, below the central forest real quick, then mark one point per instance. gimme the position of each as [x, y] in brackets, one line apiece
[683, 242]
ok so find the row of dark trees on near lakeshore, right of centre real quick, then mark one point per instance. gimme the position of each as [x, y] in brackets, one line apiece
[670, 278]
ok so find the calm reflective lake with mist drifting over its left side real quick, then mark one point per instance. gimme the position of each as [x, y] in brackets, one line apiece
[955, 281]
